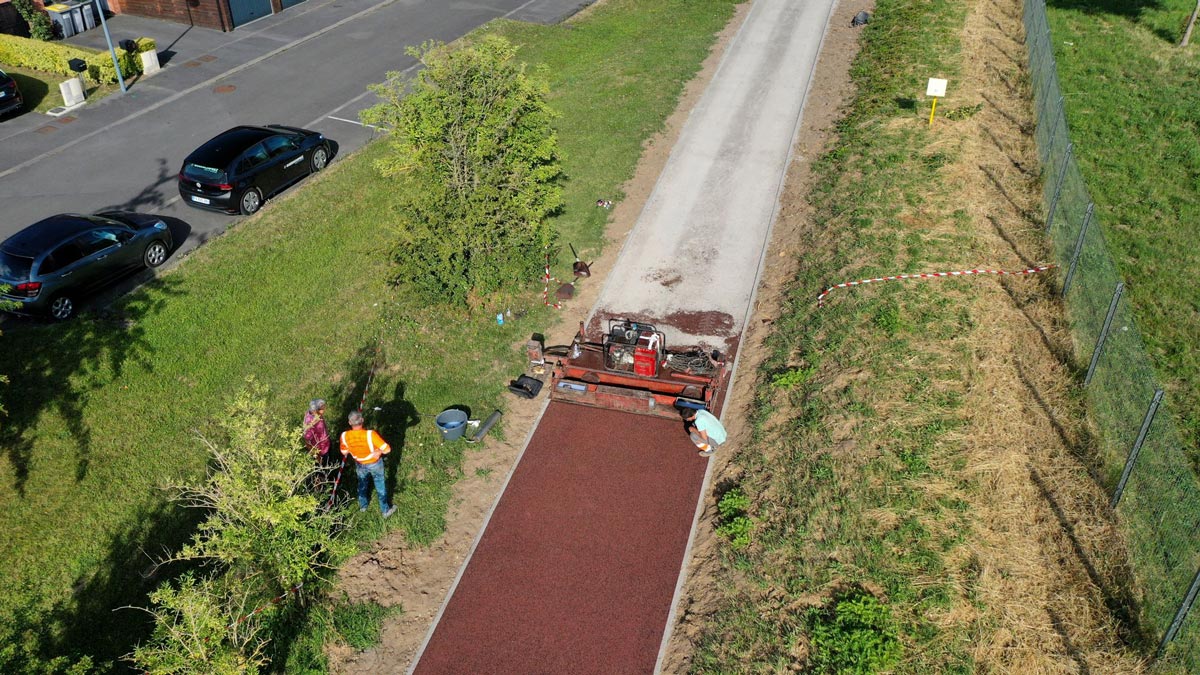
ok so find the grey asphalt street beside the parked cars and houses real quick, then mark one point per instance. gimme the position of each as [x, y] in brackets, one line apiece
[308, 67]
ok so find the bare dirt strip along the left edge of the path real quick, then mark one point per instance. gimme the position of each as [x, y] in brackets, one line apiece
[394, 574]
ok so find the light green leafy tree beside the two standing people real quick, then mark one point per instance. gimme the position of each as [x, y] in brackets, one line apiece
[266, 534]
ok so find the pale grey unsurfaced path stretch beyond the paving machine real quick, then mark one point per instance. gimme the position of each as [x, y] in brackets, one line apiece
[693, 261]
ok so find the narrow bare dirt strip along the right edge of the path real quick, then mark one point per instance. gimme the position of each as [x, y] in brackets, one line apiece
[829, 95]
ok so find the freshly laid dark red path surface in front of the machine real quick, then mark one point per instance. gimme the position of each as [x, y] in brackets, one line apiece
[578, 566]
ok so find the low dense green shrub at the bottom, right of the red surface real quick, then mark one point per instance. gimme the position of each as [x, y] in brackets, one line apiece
[855, 636]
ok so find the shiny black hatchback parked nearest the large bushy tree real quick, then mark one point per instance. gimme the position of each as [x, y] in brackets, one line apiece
[243, 168]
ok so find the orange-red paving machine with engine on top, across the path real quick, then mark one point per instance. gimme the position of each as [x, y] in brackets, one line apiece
[633, 371]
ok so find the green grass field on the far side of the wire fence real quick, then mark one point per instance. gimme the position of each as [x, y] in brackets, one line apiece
[1133, 107]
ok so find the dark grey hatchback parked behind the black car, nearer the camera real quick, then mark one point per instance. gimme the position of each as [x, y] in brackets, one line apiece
[52, 264]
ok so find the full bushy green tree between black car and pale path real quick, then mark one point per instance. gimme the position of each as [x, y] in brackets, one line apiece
[477, 157]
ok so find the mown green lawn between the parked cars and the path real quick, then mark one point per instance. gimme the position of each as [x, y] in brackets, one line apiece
[106, 411]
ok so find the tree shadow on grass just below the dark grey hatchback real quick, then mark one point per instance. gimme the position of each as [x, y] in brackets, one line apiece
[57, 367]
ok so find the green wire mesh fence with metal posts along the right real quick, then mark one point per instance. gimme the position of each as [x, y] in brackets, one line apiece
[1144, 457]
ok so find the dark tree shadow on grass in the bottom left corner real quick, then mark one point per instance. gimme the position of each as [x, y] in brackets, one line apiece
[100, 620]
